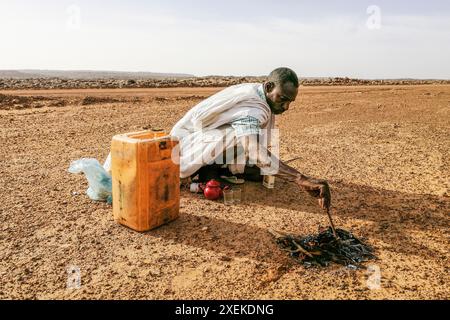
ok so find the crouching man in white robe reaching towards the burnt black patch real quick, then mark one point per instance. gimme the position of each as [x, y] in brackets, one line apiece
[232, 132]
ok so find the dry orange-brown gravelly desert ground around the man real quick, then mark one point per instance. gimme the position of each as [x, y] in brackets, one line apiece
[385, 151]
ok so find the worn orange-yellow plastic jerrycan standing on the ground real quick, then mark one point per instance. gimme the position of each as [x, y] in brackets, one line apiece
[145, 179]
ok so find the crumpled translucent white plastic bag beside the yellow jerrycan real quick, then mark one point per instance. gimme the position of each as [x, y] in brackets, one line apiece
[100, 188]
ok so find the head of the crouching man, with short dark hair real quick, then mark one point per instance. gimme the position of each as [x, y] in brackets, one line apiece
[281, 89]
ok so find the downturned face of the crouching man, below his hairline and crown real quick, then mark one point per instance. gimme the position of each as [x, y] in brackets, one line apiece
[279, 97]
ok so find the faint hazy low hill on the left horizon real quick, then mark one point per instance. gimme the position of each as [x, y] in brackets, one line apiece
[88, 75]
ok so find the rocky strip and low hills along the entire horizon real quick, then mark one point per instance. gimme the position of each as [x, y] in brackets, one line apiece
[49, 79]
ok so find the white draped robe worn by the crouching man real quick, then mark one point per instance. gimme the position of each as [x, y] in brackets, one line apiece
[205, 131]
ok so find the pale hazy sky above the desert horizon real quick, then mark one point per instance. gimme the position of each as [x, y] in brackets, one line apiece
[364, 39]
